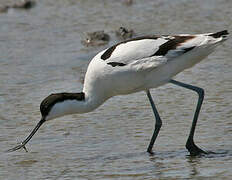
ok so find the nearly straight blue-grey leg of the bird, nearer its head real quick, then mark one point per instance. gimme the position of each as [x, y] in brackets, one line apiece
[158, 123]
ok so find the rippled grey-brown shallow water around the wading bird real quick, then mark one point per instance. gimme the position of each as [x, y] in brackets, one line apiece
[41, 53]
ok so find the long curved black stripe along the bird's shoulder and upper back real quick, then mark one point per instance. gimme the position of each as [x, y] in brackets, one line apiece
[110, 50]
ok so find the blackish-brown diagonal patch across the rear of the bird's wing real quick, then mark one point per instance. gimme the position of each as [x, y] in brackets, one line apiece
[173, 44]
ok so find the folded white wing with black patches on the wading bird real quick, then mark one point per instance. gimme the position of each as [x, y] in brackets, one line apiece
[150, 52]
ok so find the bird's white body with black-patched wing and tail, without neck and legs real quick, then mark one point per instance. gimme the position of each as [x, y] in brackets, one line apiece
[147, 62]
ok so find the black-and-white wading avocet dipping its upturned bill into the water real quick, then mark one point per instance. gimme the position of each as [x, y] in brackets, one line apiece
[138, 64]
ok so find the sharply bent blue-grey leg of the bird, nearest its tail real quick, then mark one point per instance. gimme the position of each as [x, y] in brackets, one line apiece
[190, 145]
